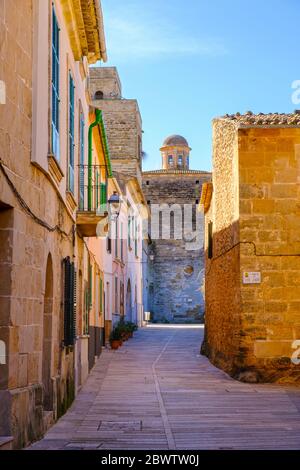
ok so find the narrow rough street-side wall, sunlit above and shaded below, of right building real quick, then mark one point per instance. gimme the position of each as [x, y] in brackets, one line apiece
[222, 283]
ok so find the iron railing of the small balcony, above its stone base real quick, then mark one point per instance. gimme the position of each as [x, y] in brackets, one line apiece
[92, 188]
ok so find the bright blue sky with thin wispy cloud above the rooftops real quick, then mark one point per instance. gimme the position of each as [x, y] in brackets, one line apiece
[189, 61]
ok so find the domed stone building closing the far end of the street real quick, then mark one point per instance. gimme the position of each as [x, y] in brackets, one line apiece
[177, 265]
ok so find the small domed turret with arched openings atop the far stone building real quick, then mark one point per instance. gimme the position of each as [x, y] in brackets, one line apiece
[175, 153]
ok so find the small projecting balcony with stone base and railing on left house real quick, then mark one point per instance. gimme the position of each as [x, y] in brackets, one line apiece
[92, 198]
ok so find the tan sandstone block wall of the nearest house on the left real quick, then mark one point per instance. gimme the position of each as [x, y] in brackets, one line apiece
[26, 320]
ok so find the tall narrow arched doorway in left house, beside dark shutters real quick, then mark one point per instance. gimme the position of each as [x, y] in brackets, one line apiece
[47, 335]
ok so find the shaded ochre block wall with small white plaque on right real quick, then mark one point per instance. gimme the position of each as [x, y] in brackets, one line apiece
[269, 162]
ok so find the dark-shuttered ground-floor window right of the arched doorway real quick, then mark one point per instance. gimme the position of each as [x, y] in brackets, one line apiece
[69, 302]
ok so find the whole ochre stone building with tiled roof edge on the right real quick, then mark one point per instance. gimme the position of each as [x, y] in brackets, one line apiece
[252, 220]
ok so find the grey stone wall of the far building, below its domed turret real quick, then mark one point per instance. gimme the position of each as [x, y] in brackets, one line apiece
[175, 273]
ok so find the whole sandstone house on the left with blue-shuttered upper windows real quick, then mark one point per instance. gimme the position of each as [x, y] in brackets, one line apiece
[45, 52]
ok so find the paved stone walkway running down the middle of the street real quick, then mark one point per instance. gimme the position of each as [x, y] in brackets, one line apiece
[156, 392]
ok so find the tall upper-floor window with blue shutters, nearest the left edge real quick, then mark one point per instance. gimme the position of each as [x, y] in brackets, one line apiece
[55, 87]
